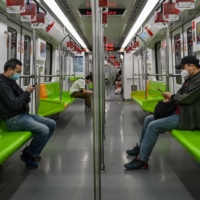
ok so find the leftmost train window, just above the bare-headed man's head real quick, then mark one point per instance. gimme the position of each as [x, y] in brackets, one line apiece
[13, 53]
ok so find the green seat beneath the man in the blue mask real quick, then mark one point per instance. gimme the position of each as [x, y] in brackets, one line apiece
[10, 142]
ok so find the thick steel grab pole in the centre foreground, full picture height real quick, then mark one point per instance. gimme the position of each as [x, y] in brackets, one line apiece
[96, 102]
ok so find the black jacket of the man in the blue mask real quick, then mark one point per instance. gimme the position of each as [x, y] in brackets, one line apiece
[13, 100]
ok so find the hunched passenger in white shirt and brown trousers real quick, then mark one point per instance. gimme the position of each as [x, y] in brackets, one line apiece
[78, 90]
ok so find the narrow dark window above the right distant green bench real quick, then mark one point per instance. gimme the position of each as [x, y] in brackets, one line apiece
[158, 61]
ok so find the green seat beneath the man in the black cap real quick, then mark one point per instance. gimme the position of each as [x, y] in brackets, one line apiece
[190, 140]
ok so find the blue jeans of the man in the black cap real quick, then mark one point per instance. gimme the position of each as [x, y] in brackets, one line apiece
[150, 132]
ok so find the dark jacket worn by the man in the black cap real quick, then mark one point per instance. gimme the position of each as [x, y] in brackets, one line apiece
[189, 99]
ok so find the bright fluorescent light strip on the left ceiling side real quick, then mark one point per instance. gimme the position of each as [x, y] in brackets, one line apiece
[58, 12]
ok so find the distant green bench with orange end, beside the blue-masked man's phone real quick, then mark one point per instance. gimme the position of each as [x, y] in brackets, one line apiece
[50, 102]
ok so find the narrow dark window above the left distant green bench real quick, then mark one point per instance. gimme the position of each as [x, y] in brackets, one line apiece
[48, 63]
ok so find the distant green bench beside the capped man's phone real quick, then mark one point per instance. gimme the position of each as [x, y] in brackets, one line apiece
[153, 96]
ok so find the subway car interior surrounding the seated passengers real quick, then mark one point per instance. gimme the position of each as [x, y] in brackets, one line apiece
[131, 49]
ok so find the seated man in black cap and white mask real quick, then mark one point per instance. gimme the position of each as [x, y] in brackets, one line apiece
[186, 115]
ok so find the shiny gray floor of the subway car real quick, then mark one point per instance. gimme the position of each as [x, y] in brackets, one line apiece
[66, 169]
